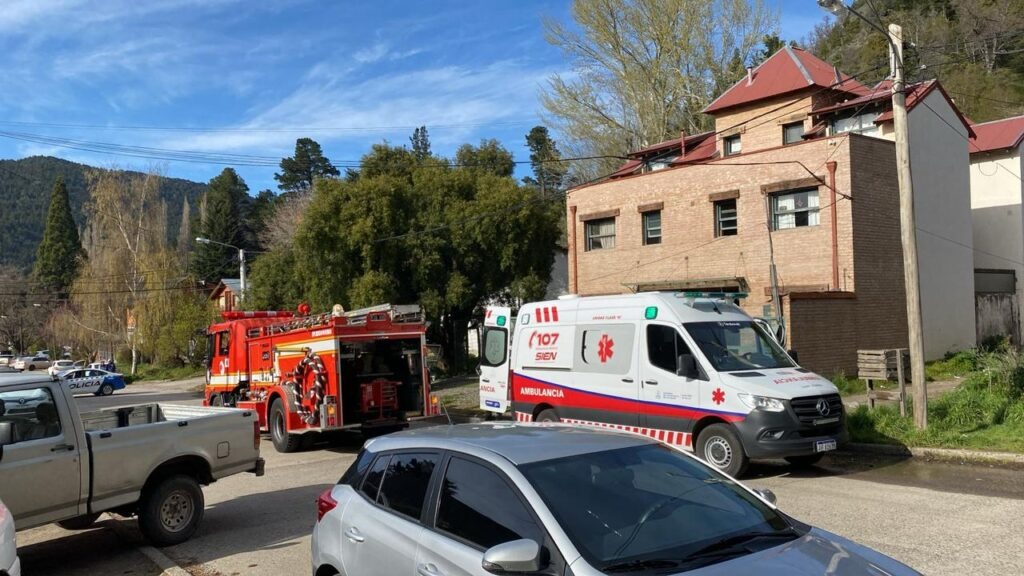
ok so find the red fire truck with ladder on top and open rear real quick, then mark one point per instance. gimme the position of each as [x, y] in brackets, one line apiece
[306, 375]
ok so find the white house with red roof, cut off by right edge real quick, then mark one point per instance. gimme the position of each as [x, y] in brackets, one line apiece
[997, 193]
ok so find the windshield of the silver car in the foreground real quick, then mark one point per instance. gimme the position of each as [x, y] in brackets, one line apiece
[650, 510]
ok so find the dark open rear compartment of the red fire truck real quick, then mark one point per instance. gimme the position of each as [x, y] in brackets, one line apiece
[381, 380]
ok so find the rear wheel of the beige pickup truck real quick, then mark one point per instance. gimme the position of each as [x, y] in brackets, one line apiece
[170, 511]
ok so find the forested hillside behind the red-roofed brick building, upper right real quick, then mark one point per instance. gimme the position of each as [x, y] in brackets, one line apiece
[974, 48]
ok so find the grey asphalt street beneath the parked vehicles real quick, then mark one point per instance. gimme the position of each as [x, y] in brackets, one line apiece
[941, 519]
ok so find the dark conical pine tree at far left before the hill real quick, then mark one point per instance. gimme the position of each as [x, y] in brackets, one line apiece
[60, 254]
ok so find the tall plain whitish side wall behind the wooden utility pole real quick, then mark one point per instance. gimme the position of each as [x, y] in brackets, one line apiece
[941, 166]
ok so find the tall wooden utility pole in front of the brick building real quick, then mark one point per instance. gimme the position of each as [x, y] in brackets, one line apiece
[909, 230]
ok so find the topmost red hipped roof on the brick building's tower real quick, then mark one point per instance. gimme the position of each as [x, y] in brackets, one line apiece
[787, 71]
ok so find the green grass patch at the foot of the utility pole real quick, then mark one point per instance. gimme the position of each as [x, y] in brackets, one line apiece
[985, 413]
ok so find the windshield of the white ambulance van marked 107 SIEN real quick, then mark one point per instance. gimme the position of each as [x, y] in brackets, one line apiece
[738, 346]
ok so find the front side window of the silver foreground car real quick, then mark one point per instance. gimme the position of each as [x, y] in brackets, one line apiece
[478, 506]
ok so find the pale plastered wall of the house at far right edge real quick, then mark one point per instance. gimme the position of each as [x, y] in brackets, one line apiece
[997, 215]
